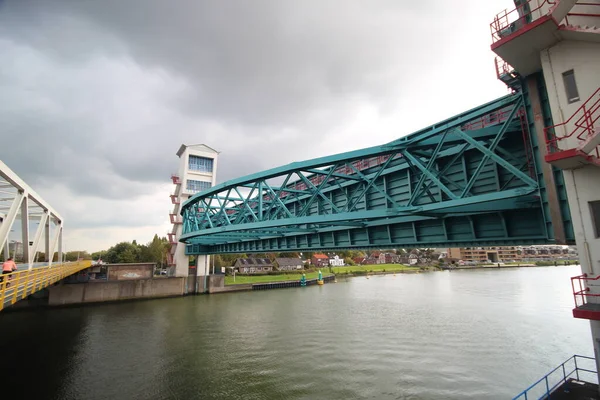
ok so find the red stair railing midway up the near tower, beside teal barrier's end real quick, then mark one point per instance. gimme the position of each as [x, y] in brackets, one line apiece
[584, 120]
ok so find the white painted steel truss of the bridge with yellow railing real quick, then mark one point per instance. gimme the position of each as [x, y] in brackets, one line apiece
[20, 208]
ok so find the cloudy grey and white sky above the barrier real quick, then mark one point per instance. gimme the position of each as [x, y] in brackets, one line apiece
[96, 97]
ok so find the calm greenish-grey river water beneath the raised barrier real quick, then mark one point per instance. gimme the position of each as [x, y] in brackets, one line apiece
[483, 334]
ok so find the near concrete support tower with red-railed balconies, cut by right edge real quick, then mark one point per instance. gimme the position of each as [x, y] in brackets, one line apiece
[552, 49]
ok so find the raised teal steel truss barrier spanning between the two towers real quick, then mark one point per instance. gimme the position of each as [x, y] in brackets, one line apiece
[465, 181]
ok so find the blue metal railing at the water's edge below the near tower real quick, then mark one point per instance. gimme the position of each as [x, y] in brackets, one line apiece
[572, 367]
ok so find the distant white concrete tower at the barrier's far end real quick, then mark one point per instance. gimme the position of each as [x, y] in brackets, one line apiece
[197, 172]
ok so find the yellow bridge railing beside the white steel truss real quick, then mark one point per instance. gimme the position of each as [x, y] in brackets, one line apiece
[20, 284]
